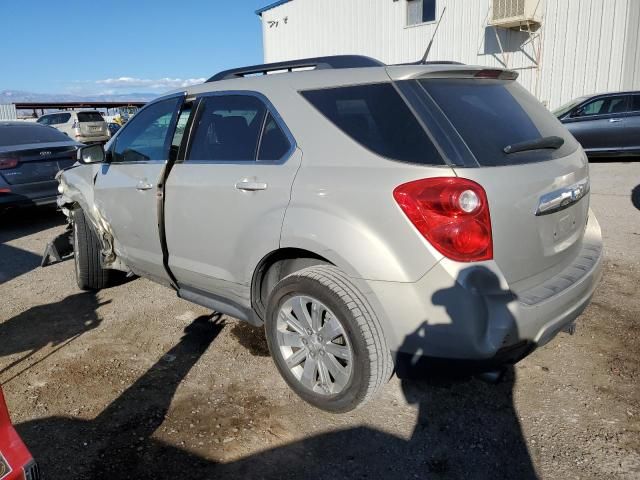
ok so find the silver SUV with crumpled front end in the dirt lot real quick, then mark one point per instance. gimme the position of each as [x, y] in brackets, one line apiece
[373, 218]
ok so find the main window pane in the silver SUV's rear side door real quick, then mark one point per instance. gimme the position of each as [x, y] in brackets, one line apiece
[227, 128]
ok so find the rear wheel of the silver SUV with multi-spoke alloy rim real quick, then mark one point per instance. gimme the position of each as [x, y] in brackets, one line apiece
[326, 340]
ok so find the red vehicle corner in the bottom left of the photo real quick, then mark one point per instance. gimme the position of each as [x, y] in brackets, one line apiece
[16, 463]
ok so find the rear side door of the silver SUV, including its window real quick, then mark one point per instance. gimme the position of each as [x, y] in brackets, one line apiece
[225, 202]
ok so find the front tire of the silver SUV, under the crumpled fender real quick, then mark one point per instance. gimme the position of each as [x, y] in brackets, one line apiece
[89, 272]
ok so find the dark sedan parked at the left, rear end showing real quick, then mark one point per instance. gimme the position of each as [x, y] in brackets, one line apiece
[30, 157]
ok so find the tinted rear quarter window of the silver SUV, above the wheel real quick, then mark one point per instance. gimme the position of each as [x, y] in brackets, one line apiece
[377, 118]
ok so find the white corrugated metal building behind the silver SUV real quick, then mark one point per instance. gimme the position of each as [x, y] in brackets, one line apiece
[562, 49]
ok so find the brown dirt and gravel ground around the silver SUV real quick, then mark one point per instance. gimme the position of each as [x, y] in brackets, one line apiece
[135, 383]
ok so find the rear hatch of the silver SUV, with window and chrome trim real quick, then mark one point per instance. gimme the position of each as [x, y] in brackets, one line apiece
[538, 197]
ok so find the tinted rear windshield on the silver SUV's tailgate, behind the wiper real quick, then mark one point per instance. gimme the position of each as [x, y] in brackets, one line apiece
[489, 115]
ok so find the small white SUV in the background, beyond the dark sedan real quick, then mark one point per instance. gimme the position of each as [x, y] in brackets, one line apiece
[86, 126]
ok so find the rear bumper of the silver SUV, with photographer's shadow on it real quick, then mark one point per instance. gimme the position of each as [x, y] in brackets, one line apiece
[473, 315]
